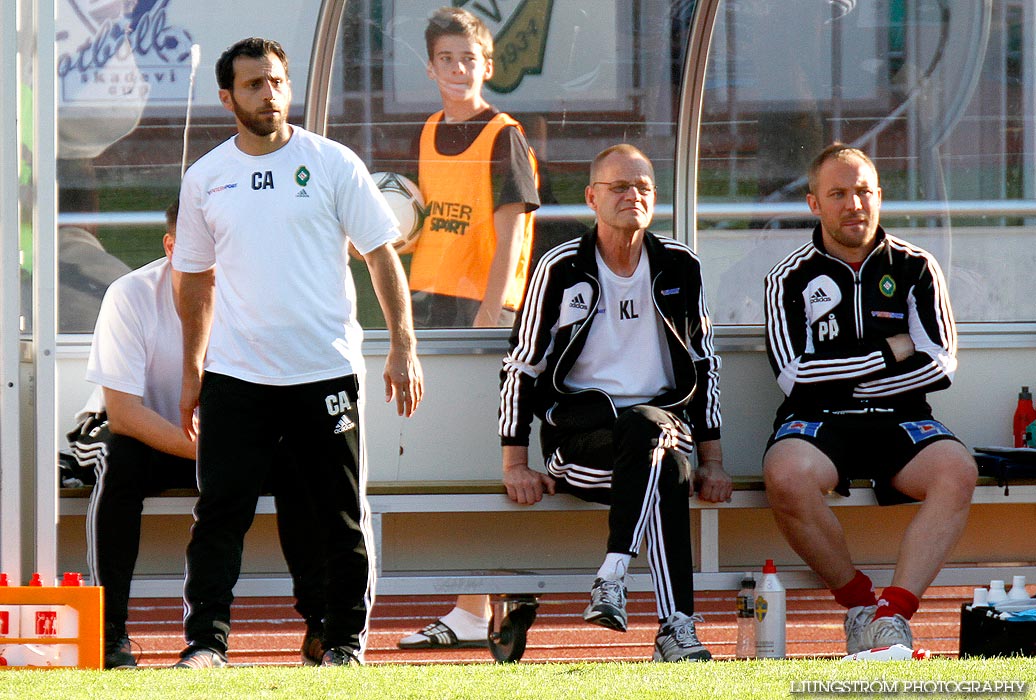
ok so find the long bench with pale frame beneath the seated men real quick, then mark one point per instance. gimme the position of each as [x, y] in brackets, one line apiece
[391, 499]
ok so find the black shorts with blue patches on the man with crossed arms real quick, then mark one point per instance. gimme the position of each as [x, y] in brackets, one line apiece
[873, 446]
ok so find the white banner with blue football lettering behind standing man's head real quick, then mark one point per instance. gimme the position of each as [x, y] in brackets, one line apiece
[121, 63]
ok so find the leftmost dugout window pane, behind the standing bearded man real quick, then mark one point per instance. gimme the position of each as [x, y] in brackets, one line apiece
[125, 70]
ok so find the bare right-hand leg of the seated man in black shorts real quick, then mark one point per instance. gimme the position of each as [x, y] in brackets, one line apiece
[943, 477]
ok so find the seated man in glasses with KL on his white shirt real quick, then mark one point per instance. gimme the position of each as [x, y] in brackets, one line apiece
[614, 352]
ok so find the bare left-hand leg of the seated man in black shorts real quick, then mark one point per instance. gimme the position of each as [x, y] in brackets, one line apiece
[798, 477]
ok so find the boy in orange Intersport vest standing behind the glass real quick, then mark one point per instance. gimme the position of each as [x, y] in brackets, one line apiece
[478, 180]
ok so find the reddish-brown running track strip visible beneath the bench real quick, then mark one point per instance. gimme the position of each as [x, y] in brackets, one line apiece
[269, 631]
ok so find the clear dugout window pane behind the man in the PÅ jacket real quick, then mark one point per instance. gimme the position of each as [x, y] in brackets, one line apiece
[934, 91]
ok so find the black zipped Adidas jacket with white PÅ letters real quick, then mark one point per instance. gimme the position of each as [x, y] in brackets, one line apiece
[827, 327]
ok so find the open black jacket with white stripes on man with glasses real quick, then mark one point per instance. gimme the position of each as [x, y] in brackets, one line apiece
[554, 324]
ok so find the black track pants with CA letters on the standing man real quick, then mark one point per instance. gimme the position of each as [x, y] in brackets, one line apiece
[243, 425]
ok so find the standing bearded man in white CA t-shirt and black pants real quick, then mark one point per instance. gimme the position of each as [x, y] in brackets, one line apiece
[268, 306]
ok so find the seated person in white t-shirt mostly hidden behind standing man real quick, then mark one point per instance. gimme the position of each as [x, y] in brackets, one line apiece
[136, 360]
